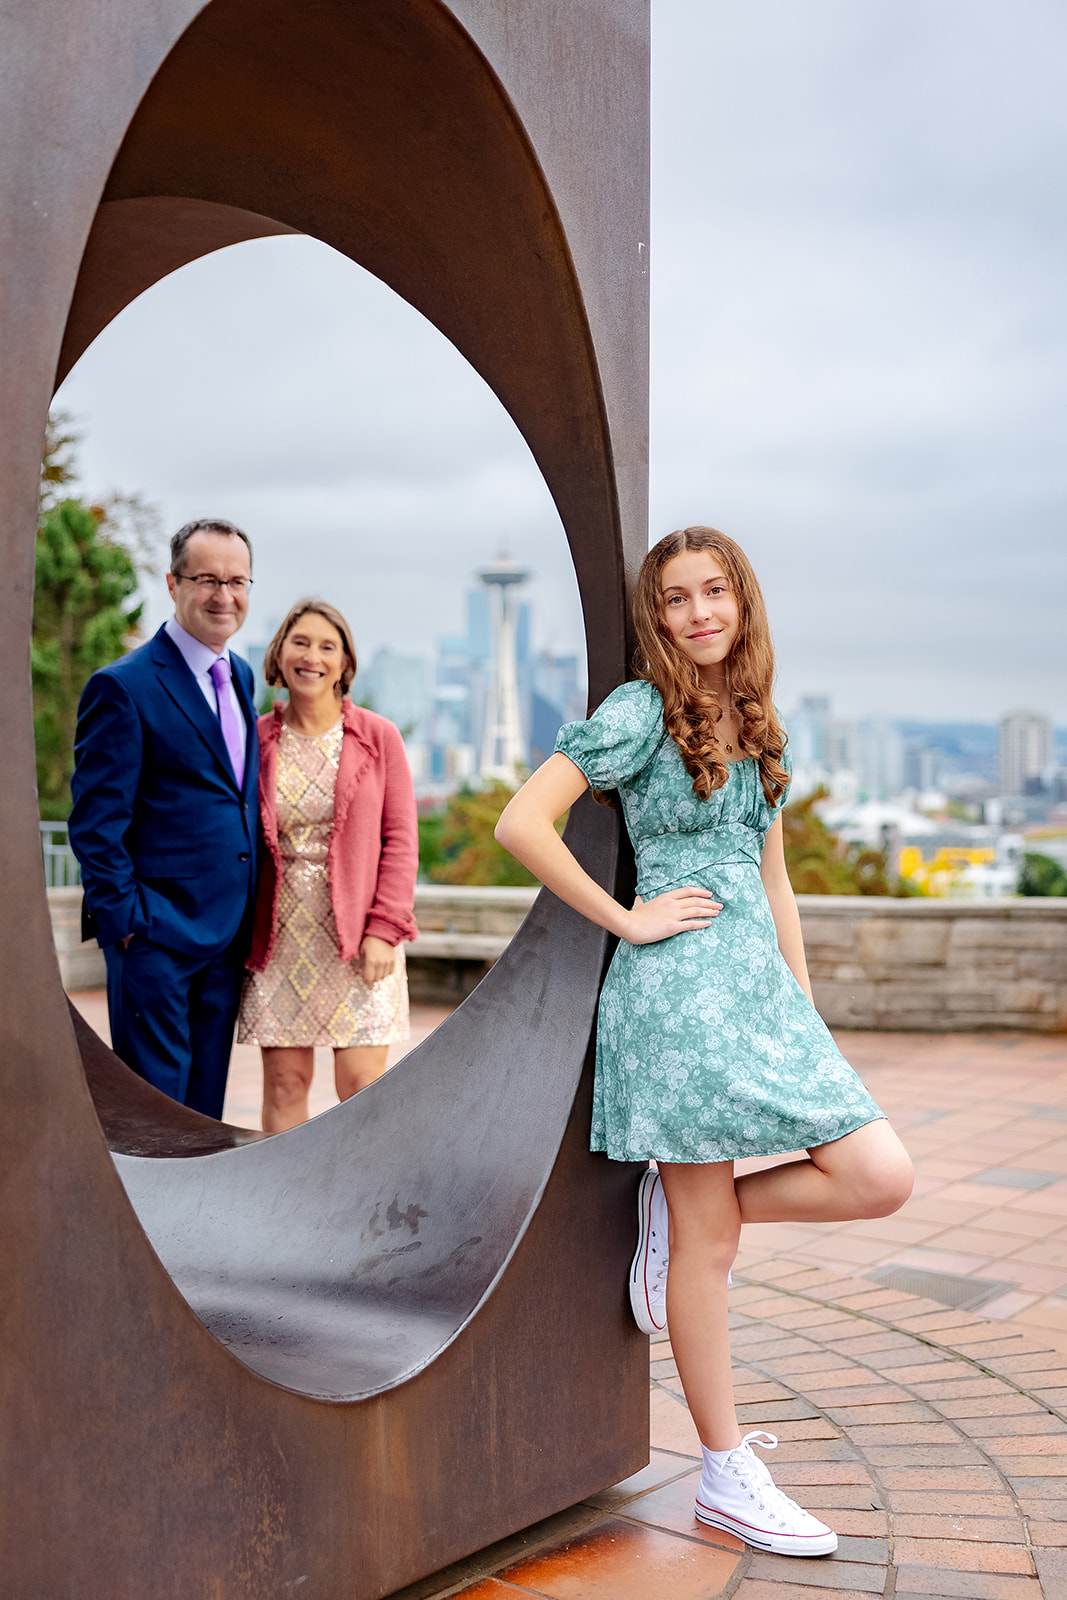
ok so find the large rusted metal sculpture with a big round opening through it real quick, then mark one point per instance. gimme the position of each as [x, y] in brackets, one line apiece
[334, 1361]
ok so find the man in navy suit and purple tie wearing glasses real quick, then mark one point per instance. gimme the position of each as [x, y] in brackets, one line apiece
[166, 823]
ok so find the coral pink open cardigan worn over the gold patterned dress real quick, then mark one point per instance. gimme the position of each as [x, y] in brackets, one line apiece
[374, 854]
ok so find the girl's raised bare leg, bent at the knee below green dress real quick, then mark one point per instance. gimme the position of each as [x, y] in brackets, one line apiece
[865, 1174]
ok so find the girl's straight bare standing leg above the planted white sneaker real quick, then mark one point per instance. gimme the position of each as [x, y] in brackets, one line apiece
[705, 1231]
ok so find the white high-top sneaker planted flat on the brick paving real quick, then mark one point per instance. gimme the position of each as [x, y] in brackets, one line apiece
[743, 1498]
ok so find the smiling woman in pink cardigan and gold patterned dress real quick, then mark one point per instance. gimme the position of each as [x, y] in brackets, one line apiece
[337, 889]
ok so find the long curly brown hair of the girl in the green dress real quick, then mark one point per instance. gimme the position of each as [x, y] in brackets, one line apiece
[692, 713]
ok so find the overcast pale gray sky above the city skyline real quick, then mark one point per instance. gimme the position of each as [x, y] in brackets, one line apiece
[860, 369]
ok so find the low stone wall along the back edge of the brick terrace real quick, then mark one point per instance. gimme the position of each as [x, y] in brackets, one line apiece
[929, 966]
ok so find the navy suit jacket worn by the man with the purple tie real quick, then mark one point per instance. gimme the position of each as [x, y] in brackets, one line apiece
[166, 838]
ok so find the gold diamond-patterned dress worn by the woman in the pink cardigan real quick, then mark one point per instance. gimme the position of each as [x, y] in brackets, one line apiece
[308, 996]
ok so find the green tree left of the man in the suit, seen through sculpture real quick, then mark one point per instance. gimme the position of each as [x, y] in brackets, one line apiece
[86, 578]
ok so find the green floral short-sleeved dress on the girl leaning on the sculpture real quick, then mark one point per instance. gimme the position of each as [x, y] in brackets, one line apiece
[708, 1047]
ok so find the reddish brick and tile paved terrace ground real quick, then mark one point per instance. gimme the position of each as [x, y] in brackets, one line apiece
[935, 1441]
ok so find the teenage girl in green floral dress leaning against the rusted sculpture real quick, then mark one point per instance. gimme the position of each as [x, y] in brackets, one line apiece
[709, 1047]
